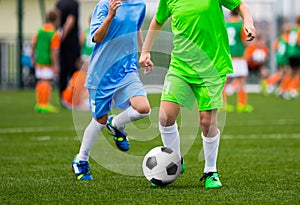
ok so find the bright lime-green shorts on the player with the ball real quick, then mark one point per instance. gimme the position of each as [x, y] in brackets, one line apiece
[184, 91]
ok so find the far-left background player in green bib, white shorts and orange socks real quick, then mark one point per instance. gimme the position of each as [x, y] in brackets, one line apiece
[45, 46]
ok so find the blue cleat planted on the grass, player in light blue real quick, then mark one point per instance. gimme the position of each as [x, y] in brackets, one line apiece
[81, 169]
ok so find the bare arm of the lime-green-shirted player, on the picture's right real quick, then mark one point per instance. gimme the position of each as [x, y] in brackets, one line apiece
[249, 28]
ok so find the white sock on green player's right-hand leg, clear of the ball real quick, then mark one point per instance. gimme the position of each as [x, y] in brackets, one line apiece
[210, 148]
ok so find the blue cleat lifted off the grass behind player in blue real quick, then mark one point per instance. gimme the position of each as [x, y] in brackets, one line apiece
[120, 136]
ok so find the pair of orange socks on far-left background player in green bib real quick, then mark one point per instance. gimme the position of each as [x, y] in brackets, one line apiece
[43, 93]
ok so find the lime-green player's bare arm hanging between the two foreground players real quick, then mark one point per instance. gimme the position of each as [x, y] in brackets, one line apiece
[145, 58]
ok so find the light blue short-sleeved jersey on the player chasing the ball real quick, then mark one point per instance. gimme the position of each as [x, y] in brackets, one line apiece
[117, 54]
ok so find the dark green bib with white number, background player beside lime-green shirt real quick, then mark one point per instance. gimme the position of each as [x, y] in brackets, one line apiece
[236, 44]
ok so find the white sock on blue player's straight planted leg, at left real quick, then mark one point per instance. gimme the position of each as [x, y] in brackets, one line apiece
[89, 137]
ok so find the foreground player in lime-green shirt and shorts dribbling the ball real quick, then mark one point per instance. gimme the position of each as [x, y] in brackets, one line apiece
[199, 64]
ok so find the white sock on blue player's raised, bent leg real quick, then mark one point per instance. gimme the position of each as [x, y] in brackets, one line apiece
[127, 116]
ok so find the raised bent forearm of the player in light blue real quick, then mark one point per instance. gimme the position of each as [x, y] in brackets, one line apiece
[101, 32]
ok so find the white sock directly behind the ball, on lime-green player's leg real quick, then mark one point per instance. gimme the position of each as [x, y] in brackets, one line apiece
[170, 137]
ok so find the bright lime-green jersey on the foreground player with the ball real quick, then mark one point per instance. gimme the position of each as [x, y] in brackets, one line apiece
[201, 47]
